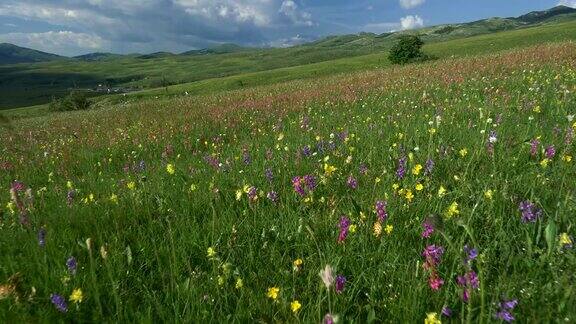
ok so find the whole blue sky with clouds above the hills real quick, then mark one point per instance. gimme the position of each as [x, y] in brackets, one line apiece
[74, 27]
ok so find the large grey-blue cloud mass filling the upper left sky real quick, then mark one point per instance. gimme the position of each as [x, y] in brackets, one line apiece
[149, 25]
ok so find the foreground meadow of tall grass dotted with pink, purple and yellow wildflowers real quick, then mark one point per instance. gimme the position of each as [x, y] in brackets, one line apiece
[437, 191]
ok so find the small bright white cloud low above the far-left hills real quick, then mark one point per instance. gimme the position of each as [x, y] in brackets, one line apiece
[59, 42]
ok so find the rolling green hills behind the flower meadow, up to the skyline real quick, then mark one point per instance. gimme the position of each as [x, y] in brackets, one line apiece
[34, 84]
